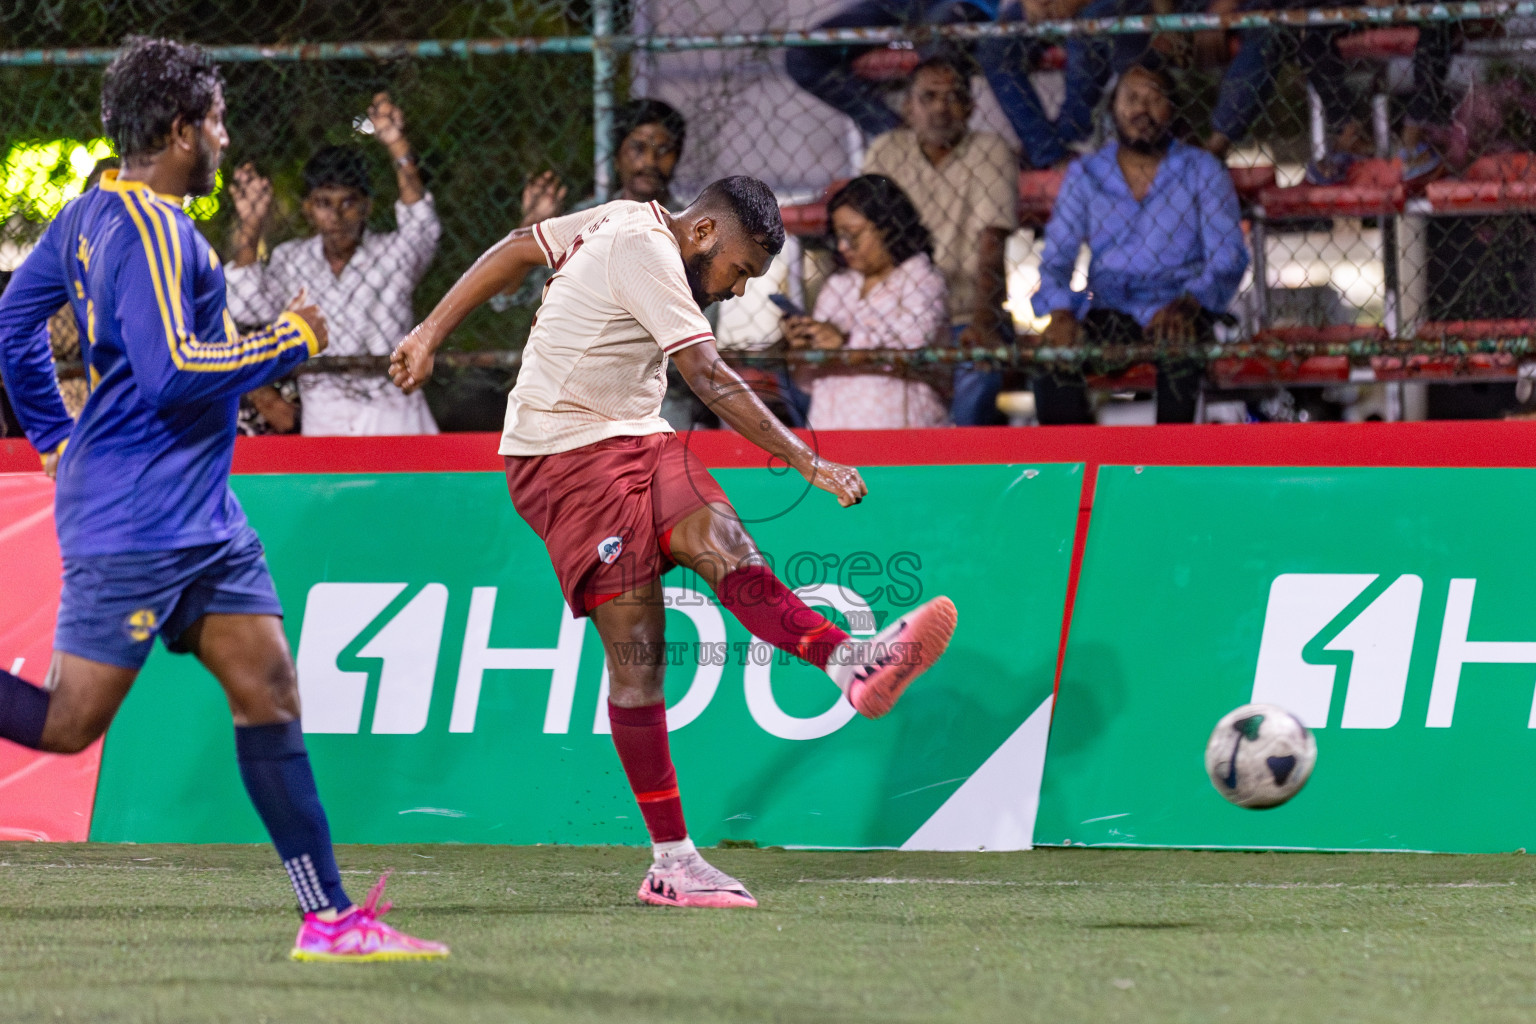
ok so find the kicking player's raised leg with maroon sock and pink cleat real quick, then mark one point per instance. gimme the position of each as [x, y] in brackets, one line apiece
[872, 673]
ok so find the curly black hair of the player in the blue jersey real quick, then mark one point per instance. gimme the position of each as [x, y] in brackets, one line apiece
[150, 85]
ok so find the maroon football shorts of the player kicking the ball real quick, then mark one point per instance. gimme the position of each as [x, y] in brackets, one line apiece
[604, 507]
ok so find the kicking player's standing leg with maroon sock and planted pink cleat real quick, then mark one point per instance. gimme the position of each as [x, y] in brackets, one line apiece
[634, 639]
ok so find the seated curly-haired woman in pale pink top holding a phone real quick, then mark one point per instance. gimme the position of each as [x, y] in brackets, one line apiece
[887, 294]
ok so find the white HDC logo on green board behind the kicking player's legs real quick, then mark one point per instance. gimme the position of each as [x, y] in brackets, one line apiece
[411, 638]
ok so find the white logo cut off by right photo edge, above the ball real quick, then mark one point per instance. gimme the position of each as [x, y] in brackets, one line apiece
[1380, 638]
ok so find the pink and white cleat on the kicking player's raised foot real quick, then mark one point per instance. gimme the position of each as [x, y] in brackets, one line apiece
[875, 673]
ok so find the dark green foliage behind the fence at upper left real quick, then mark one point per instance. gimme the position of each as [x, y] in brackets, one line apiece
[480, 127]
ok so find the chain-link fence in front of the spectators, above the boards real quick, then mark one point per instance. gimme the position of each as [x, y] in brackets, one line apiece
[1369, 219]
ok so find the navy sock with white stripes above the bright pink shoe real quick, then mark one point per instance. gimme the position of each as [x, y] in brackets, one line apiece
[276, 770]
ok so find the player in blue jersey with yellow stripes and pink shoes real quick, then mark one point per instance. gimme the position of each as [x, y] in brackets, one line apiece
[153, 540]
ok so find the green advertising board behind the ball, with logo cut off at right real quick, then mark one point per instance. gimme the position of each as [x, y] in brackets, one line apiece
[1389, 609]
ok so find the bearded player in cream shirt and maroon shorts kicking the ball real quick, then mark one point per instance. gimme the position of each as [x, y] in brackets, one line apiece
[606, 483]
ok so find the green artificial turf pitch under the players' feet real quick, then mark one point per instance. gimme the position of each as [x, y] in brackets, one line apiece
[555, 934]
